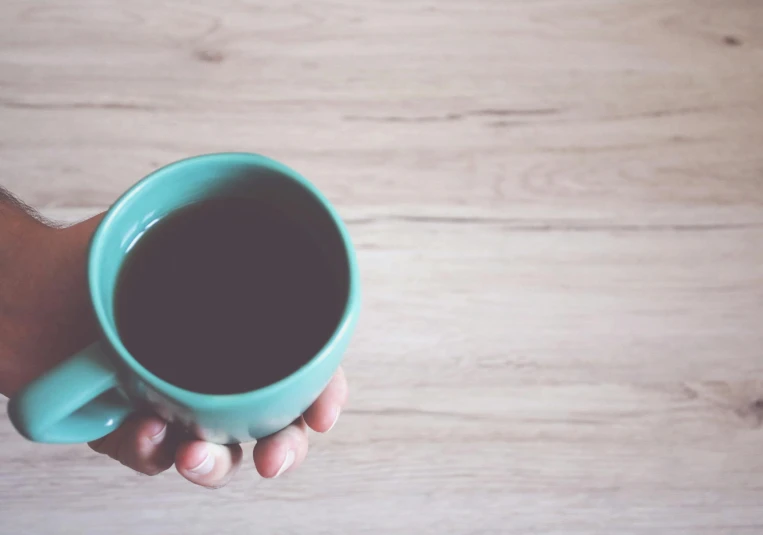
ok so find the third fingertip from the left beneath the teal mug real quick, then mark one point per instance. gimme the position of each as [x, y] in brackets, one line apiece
[281, 451]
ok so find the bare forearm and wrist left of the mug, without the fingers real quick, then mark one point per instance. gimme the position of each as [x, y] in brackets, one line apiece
[44, 306]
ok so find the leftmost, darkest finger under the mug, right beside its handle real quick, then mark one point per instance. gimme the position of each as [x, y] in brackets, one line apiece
[141, 443]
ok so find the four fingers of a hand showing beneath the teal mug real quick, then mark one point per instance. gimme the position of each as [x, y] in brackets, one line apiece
[146, 444]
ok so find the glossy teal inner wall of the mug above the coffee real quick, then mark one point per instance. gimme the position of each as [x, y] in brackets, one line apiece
[198, 179]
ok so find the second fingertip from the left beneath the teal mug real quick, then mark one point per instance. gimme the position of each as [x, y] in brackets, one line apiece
[209, 465]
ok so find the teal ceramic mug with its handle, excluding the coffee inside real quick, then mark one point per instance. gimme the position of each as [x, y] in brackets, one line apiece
[90, 394]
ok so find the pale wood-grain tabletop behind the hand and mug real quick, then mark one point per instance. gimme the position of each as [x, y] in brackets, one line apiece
[558, 208]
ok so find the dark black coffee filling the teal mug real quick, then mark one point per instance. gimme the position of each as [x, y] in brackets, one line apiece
[228, 295]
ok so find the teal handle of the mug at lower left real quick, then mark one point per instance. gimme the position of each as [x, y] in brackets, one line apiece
[77, 401]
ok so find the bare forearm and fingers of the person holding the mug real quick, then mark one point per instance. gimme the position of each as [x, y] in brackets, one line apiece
[45, 316]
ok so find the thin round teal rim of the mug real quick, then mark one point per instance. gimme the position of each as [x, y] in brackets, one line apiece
[108, 327]
